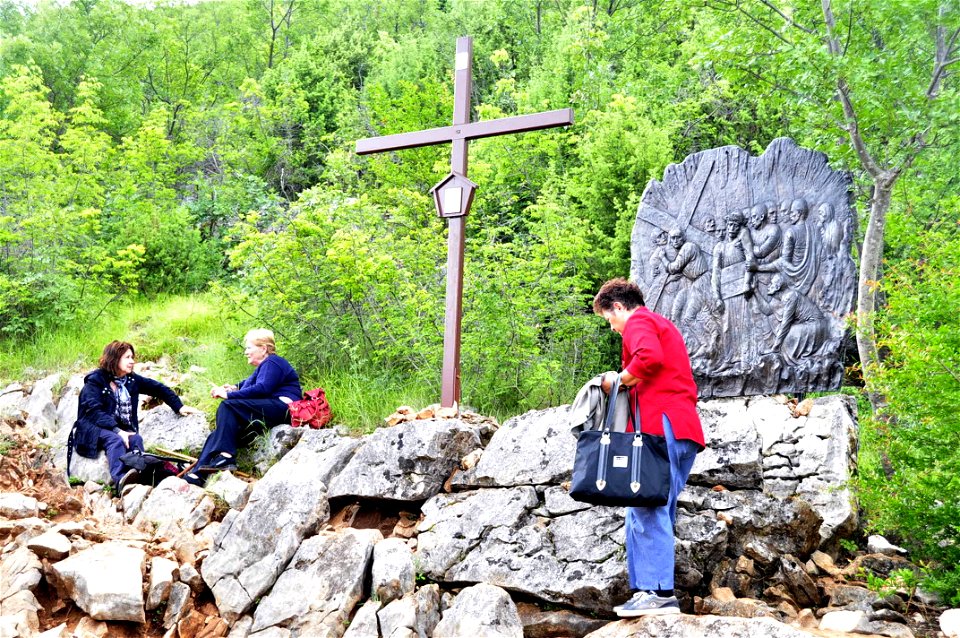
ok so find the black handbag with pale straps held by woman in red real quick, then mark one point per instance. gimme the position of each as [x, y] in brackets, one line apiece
[621, 469]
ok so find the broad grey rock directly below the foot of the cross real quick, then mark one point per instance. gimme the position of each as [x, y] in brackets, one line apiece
[406, 462]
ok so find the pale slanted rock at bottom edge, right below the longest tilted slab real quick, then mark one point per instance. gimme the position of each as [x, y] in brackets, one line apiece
[320, 587]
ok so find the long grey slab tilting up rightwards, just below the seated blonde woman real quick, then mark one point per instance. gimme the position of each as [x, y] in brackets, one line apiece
[254, 545]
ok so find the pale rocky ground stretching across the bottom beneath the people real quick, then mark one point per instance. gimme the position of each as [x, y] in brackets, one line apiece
[448, 528]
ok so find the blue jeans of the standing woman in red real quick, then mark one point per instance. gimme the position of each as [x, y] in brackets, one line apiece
[650, 554]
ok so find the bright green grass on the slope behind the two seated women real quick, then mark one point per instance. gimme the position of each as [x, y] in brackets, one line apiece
[195, 332]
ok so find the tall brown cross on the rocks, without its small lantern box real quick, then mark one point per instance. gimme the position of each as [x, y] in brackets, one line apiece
[459, 134]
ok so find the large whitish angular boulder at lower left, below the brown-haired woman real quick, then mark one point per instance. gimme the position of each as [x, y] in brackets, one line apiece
[106, 581]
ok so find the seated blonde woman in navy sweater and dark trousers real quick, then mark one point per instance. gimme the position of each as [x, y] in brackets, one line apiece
[250, 407]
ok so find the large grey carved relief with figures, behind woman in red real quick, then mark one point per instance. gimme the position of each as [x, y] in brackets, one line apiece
[750, 258]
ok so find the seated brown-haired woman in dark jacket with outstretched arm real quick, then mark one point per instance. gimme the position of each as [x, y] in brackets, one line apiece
[107, 415]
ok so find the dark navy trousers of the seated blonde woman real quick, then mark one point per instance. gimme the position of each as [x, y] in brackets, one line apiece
[239, 421]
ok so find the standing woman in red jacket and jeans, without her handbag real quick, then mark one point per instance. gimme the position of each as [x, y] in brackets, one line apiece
[656, 369]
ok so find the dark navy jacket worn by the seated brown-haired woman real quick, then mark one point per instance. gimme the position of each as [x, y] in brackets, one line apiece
[98, 407]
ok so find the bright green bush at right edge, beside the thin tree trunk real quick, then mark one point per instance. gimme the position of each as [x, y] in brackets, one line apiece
[910, 476]
